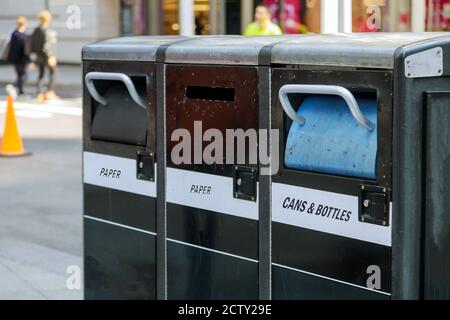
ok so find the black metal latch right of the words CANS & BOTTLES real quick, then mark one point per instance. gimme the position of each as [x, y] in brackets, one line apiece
[374, 205]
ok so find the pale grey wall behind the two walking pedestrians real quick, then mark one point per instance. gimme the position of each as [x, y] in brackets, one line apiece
[76, 21]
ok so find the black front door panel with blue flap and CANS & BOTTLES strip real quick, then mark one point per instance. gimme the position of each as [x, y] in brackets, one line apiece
[331, 199]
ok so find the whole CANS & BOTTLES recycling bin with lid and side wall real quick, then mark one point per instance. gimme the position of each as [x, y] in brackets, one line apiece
[360, 203]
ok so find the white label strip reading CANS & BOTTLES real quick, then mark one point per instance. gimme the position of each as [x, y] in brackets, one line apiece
[326, 212]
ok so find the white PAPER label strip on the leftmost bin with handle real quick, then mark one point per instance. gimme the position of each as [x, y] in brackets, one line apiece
[115, 173]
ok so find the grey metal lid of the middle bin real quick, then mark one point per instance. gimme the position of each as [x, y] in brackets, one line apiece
[223, 50]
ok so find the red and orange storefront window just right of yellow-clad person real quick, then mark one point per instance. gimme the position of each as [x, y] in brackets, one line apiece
[296, 16]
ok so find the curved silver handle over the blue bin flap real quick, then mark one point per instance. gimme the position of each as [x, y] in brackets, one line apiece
[322, 90]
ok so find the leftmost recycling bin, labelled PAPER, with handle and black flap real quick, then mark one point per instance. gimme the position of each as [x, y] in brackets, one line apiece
[119, 180]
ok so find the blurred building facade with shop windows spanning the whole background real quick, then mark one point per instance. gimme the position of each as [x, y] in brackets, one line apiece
[81, 21]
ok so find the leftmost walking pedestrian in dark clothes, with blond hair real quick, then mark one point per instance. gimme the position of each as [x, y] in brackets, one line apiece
[18, 54]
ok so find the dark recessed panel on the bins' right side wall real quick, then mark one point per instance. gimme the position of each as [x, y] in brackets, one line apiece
[437, 210]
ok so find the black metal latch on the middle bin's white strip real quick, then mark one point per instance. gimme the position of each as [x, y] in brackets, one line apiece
[244, 183]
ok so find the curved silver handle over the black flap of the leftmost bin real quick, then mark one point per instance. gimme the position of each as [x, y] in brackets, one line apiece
[91, 76]
